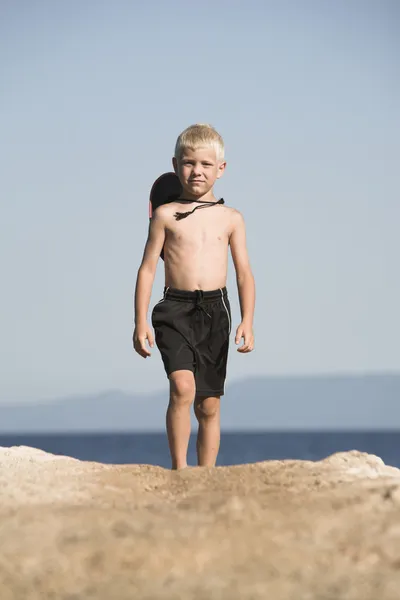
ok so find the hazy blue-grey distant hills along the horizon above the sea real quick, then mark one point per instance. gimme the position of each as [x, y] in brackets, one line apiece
[310, 402]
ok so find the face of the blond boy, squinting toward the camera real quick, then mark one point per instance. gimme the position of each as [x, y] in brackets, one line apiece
[198, 170]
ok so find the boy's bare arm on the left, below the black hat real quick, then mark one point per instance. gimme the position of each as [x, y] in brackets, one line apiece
[144, 283]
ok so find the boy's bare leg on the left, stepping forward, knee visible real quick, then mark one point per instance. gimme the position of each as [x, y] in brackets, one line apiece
[182, 393]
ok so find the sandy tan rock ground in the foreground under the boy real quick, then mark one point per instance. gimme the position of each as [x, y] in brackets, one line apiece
[275, 530]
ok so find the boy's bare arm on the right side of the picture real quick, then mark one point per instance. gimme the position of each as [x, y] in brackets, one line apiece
[245, 283]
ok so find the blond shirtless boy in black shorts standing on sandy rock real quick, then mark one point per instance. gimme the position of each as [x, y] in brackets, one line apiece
[192, 322]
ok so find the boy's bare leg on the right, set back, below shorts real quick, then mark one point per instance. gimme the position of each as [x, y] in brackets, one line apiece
[207, 411]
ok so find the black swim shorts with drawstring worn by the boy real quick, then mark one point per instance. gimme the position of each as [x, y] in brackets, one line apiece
[192, 333]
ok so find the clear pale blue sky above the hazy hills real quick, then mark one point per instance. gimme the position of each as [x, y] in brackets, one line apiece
[93, 96]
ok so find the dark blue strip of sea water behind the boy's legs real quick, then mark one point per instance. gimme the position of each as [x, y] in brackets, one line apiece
[236, 447]
